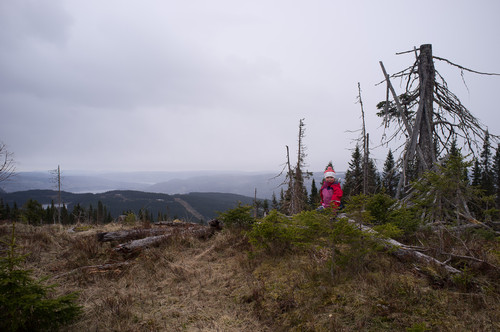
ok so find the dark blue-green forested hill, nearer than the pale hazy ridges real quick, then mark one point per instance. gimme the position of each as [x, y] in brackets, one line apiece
[119, 201]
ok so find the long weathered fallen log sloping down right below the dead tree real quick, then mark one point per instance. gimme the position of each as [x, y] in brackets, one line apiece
[403, 251]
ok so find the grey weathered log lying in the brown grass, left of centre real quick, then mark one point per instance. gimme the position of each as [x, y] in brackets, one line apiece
[197, 232]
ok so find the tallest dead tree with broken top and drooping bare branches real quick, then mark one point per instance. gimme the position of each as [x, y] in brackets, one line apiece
[428, 114]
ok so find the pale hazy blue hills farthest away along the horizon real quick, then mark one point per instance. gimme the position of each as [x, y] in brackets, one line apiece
[171, 183]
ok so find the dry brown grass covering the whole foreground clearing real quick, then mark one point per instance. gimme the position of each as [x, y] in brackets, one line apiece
[187, 284]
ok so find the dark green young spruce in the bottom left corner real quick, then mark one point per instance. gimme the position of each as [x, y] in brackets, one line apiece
[26, 304]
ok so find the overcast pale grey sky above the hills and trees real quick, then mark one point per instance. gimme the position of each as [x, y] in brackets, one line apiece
[220, 84]
